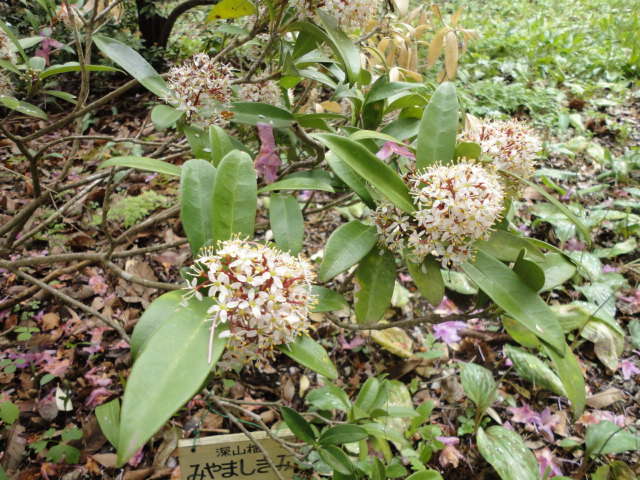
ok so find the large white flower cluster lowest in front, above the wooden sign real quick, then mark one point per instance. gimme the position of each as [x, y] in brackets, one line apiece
[261, 292]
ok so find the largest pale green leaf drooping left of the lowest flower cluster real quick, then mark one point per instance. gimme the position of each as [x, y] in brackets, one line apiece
[168, 373]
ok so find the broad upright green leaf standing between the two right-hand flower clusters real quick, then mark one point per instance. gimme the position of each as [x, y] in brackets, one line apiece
[438, 127]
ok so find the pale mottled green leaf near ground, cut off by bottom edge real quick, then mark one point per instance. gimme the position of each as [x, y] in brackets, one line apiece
[507, 454]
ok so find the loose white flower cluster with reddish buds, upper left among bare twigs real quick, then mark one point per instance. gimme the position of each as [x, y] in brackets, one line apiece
[202, 88]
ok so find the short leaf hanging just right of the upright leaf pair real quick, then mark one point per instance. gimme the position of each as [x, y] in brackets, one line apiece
[286, 222]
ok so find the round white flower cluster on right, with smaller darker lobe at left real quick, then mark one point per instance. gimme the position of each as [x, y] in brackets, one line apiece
[456, 206]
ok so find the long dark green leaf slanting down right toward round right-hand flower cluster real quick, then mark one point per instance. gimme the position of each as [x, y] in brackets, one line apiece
[371, 168]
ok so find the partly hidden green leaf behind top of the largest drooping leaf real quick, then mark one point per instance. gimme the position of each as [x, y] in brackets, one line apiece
[159, 311]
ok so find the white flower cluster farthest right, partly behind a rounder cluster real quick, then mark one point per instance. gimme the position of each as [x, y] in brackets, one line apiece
[512, 146]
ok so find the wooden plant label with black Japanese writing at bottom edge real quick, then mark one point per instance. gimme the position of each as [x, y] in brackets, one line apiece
[234, 457]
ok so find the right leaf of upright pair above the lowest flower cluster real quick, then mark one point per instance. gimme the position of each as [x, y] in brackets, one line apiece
[234, 197]
